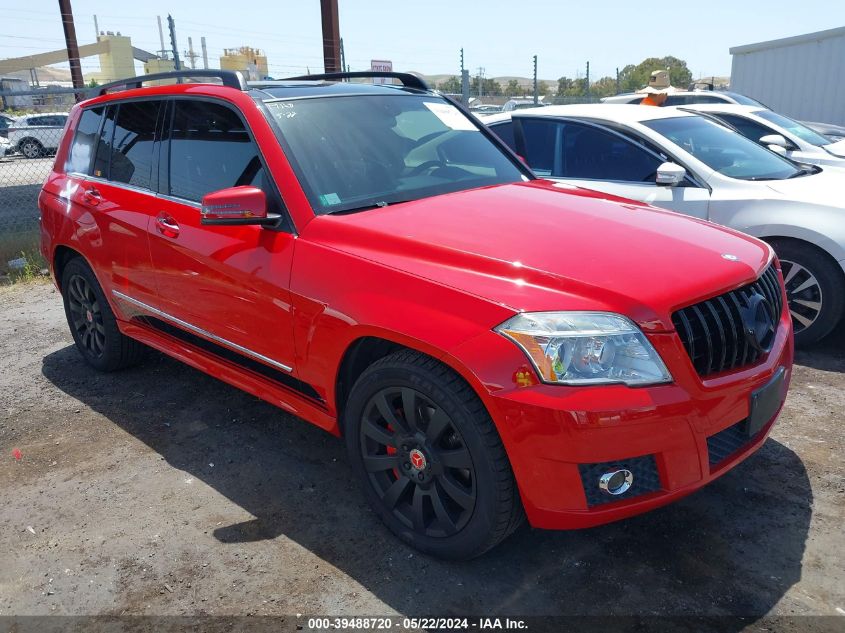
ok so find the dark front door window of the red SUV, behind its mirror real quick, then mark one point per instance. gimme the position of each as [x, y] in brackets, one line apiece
[210, 149]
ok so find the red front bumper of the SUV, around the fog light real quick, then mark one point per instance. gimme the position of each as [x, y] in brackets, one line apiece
[676, 438]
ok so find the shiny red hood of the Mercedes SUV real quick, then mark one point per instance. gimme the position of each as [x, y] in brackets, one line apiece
[543, 246]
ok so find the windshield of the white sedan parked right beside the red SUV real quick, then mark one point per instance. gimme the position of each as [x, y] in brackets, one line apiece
[724, 150]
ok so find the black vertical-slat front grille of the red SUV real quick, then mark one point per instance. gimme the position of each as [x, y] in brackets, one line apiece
[713, 333]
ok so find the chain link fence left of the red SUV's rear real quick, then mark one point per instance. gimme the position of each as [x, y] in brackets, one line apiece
[30, 131]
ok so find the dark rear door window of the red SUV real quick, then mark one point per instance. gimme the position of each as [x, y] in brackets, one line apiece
[132, 145]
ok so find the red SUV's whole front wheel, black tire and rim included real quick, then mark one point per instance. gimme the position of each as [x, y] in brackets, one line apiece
[430, 459]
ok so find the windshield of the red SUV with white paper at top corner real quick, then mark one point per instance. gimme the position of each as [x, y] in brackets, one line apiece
[356, 152]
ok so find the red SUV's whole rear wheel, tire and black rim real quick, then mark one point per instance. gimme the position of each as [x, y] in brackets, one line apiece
[92, 322]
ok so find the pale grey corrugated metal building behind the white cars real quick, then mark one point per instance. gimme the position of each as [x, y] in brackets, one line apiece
[802, 76]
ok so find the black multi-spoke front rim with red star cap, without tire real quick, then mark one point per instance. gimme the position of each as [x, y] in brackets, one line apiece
[417, 462]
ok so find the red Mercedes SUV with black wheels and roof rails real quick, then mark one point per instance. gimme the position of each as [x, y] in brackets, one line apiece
[370, 258]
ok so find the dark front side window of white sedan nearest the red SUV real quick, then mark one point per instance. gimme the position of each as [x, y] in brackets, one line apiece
[596, 154]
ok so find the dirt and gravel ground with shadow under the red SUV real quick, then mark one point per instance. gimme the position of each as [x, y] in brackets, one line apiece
[162, 491]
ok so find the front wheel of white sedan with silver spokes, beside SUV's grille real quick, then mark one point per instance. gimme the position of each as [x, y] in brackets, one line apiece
[815, 289]
